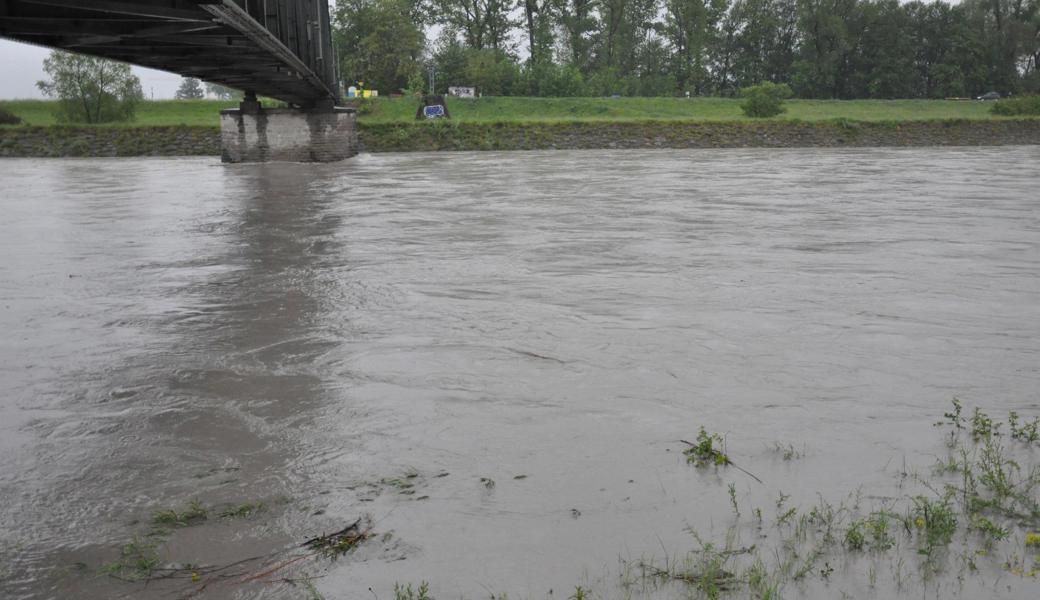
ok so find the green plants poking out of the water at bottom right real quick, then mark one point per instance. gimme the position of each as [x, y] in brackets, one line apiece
[980, 504]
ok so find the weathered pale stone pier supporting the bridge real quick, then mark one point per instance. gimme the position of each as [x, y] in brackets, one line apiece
[254, 135]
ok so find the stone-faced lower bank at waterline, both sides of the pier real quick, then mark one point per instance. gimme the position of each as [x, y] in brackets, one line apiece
[201, 141]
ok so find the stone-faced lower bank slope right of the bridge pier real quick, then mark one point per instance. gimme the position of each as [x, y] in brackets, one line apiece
[467, 137]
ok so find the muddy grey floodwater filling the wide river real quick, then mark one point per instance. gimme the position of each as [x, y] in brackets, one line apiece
[375, 337]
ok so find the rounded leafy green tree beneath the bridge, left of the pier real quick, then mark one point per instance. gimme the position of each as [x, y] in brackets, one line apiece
[91, 90]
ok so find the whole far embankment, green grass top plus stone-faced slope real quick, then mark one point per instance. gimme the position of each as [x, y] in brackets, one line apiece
[389, 125]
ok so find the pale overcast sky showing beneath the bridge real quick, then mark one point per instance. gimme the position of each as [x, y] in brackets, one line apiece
[22, 66]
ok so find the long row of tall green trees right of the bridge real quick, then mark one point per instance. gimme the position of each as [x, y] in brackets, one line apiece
[827, 49]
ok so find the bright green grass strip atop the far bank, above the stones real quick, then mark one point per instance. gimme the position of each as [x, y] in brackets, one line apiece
[206, 113]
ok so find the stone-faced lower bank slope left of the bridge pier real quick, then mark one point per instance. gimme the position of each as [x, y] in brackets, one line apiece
[102, 142]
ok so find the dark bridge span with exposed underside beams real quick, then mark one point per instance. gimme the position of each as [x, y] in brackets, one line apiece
[276, 48]
